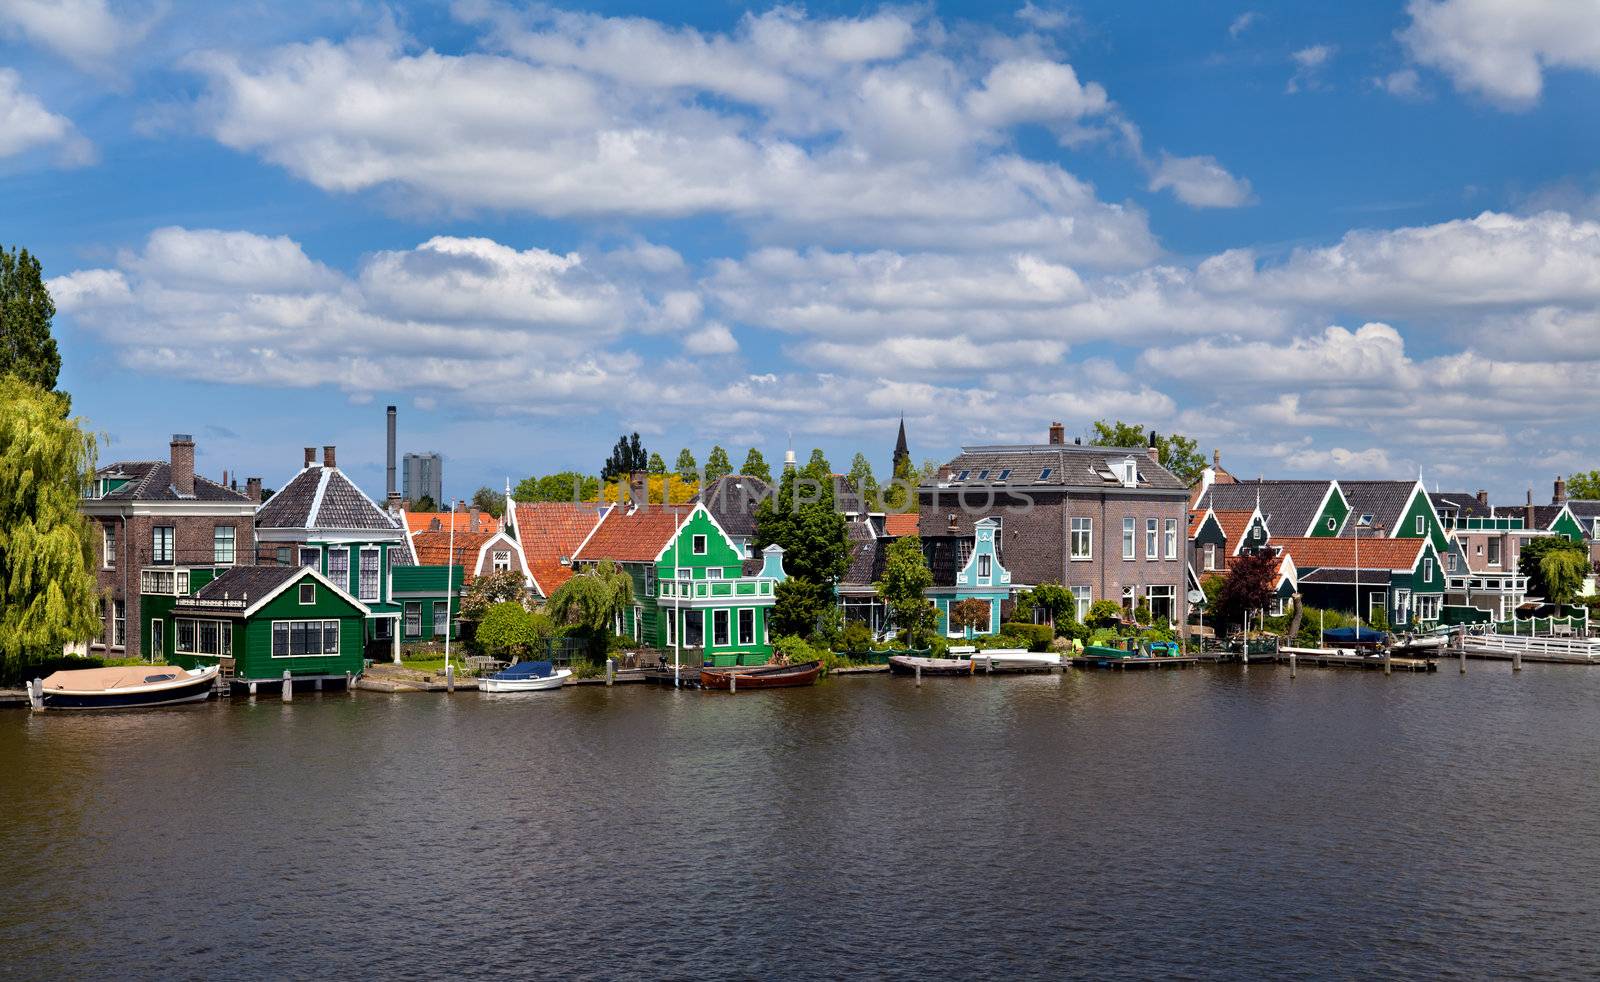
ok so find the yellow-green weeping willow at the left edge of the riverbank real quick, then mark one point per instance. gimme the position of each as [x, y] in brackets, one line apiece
[49, 594]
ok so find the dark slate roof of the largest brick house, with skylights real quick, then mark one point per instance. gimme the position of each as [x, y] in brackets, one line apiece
[1071, 466]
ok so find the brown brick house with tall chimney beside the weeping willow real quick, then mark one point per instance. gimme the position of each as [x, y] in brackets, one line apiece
[154, 517]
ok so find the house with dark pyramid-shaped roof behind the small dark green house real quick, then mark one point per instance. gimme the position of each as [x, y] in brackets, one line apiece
[321, 519]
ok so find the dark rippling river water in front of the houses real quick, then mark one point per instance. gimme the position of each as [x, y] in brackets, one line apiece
[1207, 823]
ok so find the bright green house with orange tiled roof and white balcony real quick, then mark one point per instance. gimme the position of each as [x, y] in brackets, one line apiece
[692, 593]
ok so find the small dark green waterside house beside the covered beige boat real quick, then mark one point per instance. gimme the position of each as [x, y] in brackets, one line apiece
[270, 621]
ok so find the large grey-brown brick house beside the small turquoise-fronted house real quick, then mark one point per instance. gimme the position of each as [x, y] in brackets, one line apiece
[1110, 524]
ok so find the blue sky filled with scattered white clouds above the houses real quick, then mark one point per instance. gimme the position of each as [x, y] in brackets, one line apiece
[1356, 242]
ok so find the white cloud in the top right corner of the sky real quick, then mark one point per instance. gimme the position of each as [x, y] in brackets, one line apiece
[1502, 49]
